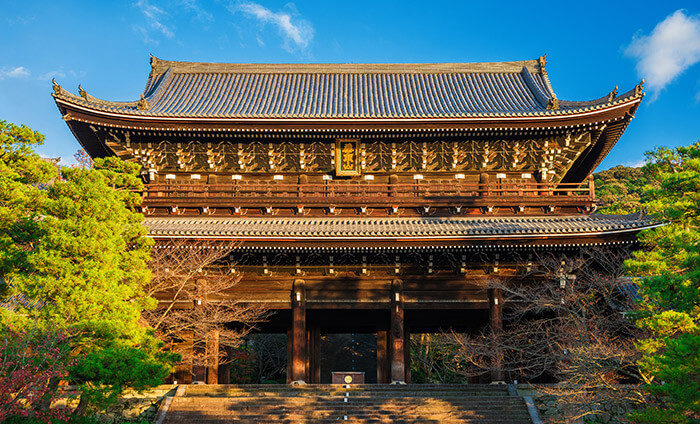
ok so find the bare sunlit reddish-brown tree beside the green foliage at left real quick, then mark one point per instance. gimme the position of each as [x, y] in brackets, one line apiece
[192, 281]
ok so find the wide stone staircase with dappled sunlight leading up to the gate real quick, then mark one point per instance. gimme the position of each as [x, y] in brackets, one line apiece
[449, 404]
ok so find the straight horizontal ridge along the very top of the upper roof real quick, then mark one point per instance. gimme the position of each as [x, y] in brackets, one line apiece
[159, 66]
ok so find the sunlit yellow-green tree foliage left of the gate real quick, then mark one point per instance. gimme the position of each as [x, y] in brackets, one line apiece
[76, 244]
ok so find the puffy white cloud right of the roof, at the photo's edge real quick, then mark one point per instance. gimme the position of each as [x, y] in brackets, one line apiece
[671, 48]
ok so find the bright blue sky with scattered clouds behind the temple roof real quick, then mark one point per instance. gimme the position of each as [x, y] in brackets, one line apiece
[591, 47]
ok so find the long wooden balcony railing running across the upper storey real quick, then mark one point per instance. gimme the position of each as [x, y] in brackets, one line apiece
[339, 192]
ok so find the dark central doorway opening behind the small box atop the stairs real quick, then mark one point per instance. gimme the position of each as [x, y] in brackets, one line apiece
[349, 352]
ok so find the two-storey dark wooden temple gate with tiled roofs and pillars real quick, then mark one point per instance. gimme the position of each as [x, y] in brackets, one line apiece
[385, 197]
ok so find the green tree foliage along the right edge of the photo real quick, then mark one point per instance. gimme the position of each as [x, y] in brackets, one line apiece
[670, 263]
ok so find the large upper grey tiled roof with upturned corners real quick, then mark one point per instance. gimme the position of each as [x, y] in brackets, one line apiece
[397, 91]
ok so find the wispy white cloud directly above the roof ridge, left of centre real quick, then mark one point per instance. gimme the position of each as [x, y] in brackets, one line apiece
[299, 33]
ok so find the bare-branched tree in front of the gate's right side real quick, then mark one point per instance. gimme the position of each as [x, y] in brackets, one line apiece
[566, 321]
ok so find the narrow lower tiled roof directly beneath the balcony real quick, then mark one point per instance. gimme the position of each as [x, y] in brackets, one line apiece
[393, 228]
